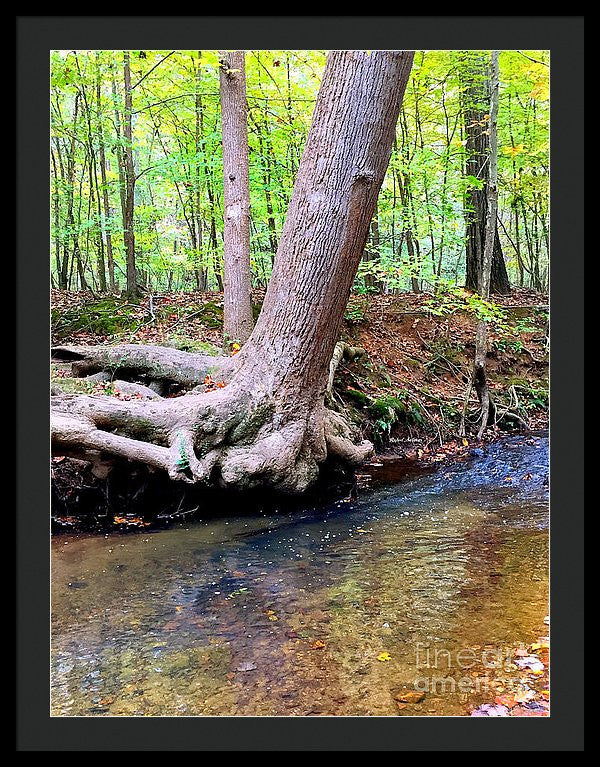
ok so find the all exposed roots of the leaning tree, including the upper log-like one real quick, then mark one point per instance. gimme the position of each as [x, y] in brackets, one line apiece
[238, 436]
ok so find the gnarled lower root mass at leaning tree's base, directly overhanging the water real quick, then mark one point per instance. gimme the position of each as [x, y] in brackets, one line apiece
[225, 438]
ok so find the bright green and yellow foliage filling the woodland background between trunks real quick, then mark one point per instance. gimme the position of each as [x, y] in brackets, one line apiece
[178, 217]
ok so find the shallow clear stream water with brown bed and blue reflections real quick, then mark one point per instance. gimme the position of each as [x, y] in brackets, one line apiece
[288, 614]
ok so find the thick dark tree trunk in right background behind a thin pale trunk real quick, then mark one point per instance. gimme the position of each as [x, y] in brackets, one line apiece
[476, 100]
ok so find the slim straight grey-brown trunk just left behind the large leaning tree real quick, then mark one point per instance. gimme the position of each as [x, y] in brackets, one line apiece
[237, 305]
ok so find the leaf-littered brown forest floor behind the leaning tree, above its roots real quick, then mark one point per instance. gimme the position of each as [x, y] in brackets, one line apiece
[406, 393]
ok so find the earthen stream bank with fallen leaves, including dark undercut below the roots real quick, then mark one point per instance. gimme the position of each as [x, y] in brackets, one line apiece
[405, 393]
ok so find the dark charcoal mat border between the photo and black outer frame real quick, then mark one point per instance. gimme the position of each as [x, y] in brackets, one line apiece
[35, 729]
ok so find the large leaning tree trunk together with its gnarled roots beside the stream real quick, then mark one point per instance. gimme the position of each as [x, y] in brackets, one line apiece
[267, 426]
